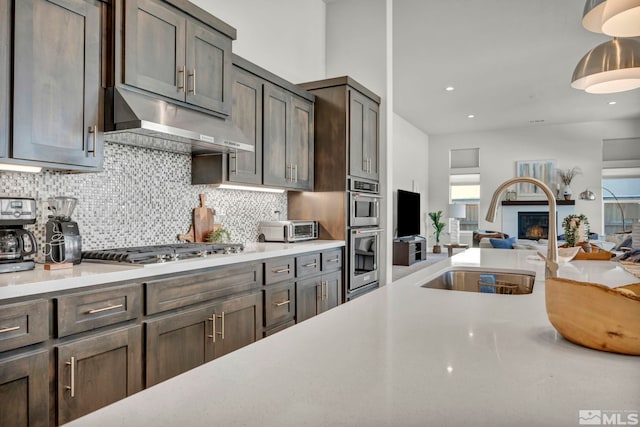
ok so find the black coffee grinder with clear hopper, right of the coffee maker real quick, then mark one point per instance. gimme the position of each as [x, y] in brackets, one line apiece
[64, 243]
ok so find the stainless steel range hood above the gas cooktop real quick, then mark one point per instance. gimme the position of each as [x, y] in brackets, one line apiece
[135, 118]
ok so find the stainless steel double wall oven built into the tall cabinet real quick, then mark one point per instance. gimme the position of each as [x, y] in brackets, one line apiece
[364, 237]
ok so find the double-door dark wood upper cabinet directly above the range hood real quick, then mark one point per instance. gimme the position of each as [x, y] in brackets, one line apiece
[171, 54]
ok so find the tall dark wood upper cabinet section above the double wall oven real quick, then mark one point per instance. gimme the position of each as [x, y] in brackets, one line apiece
[347, 138]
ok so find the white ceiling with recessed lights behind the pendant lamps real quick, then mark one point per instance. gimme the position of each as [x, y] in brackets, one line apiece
[510, 62]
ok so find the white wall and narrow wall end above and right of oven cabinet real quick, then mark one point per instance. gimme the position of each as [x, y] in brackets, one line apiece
[358, 45]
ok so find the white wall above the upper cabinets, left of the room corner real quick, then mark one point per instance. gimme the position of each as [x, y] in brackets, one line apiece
[286, 37]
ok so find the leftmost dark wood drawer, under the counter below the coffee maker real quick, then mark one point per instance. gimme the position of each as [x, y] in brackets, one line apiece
[23, 324]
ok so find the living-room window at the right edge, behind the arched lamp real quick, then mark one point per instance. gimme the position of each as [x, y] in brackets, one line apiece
[620, 196]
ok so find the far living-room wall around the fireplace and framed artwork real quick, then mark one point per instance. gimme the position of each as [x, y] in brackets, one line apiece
[576, 144]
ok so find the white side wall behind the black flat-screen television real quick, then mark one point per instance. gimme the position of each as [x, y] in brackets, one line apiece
[410, 171]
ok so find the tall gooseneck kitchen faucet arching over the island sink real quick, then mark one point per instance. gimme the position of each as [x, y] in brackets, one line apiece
[551, 260]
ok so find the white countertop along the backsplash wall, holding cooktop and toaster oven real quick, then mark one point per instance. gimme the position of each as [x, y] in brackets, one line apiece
[88, 273]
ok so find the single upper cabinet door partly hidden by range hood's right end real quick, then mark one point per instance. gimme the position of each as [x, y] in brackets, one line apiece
[247, 115]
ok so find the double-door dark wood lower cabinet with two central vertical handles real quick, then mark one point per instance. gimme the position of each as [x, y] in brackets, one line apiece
[181, 341]
